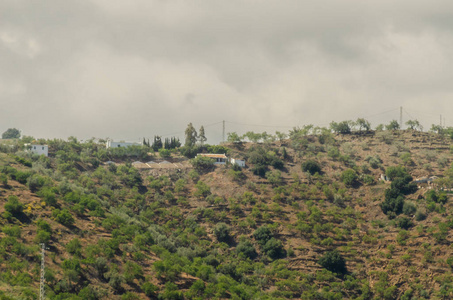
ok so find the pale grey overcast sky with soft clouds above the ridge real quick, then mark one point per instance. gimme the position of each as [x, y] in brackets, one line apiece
[131, 69]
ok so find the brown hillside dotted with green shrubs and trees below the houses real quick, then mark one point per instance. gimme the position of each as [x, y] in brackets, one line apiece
[304, 219]
